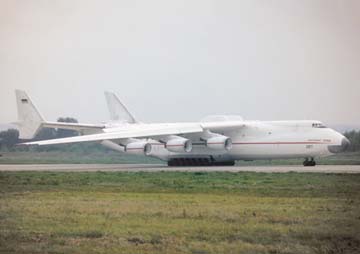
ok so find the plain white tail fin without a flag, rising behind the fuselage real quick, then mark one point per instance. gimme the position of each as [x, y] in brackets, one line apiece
[118, 112]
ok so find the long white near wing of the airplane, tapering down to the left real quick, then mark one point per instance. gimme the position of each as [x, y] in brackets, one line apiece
[124, 134]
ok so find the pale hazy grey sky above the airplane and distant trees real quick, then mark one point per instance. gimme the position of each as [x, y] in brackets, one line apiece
[182, 60]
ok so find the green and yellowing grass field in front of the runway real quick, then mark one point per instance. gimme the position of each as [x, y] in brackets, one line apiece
[179, 212]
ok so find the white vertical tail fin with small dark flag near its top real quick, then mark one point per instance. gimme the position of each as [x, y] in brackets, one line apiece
[29, 118]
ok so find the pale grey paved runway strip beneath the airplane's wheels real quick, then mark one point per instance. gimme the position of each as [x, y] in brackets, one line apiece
[154, 168]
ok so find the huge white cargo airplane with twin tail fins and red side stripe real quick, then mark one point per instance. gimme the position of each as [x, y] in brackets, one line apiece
[216, 140]
